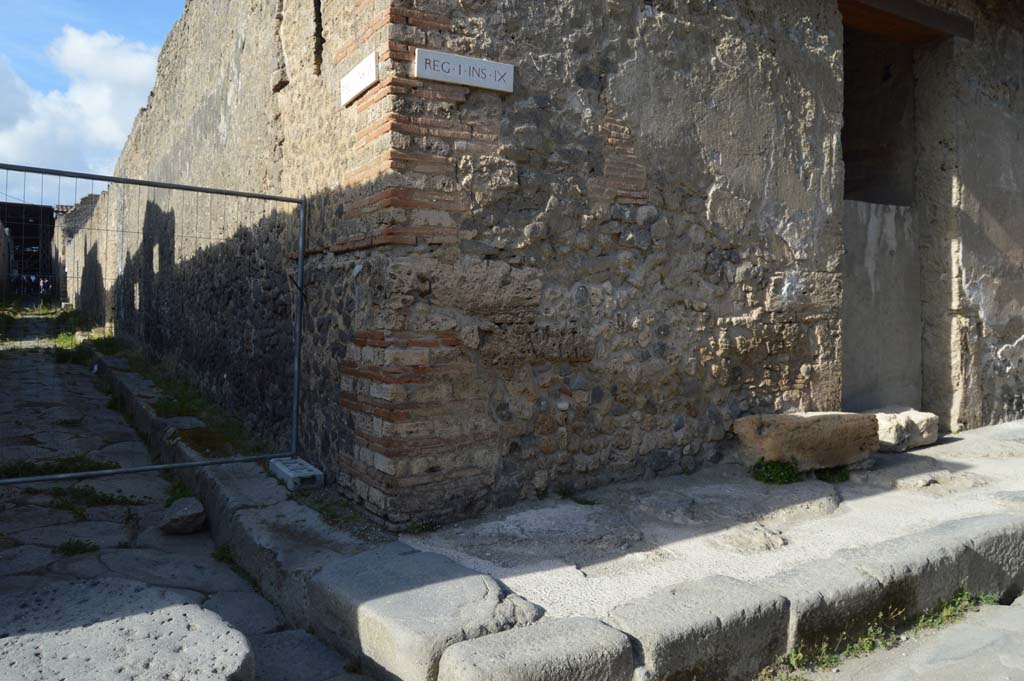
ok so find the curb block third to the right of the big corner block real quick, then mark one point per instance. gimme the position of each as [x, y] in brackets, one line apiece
[830, 601]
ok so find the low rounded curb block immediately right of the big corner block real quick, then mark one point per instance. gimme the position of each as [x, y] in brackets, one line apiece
[572, 649]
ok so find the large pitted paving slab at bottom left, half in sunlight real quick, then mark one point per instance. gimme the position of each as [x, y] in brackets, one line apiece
[106, 630]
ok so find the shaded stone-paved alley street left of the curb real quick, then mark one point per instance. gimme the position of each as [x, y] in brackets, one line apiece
[98, 545]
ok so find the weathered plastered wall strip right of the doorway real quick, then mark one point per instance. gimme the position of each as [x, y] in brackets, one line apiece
[969, 207]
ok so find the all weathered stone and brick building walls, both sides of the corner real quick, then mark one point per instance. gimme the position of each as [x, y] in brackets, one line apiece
[583, 281]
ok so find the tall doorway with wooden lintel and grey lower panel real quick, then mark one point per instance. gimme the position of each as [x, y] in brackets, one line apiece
[886, 226]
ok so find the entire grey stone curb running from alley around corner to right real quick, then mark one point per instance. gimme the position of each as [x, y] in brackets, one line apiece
[693, 628]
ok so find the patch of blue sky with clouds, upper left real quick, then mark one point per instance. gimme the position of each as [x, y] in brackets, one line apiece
[73, 76]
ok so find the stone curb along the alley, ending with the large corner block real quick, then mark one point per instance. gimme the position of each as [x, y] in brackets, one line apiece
[393, 611]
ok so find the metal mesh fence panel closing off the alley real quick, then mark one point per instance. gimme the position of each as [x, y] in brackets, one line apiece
[99, 243]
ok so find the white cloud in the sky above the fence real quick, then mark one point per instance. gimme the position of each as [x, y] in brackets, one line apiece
[84, 126]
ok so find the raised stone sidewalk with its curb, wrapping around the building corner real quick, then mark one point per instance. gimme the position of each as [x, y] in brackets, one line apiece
[711, 576]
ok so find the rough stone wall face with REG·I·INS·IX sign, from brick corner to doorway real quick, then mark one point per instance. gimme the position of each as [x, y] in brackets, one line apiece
[616, 275]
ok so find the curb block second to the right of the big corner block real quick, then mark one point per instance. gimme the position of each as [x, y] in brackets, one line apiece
[712, 628]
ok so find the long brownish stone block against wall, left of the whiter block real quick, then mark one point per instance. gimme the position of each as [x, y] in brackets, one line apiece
[812, 440]
